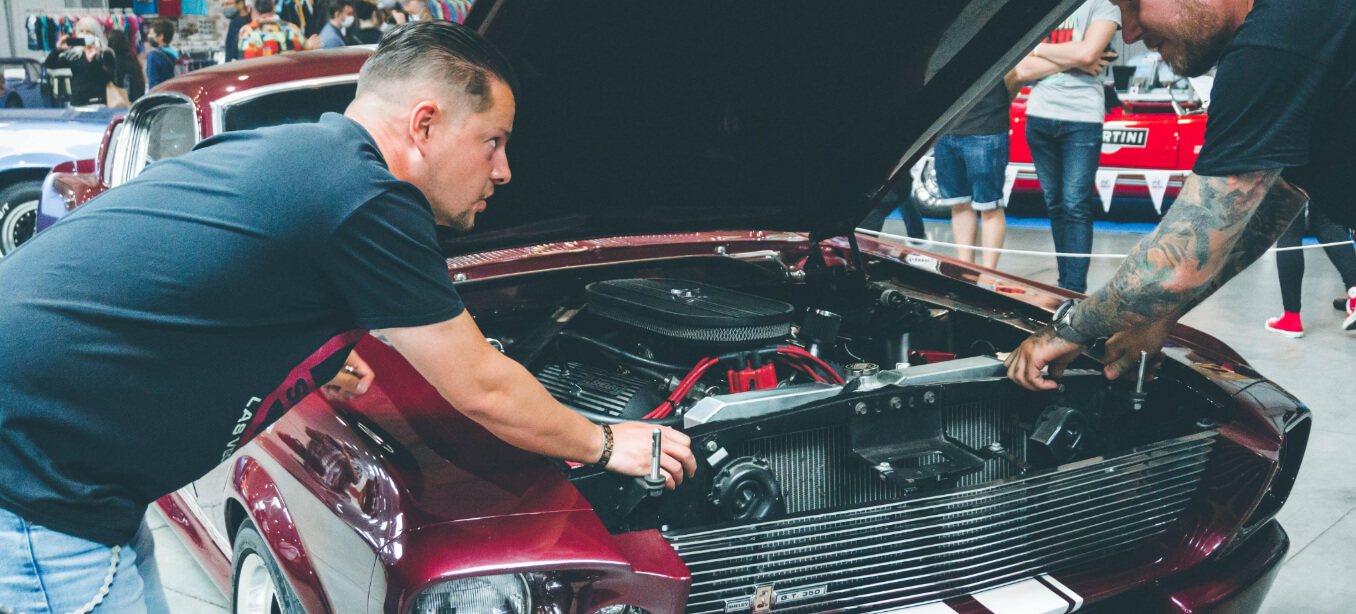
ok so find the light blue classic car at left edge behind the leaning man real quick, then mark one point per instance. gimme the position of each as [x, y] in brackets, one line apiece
[33, 142]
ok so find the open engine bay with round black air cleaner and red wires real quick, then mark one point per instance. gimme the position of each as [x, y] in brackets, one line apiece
[797, 405]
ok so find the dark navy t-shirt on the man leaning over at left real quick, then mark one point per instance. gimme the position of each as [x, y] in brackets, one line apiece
[158, 329]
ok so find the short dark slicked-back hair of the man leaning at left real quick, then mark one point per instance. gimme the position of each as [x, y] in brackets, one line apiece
[439, 52]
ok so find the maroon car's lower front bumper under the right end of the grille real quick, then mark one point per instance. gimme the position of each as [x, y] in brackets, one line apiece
[1233, 585]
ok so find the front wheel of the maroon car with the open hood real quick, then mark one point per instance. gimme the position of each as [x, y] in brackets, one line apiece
[257, 585]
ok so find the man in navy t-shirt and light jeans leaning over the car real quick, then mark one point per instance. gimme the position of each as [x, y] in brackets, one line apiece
[161, 327]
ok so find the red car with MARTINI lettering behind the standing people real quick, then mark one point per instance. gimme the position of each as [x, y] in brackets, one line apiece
[1153, 135]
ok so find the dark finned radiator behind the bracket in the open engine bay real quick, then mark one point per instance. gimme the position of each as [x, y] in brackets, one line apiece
[818, 471]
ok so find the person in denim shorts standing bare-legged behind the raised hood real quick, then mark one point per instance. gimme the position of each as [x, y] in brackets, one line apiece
[972, 161]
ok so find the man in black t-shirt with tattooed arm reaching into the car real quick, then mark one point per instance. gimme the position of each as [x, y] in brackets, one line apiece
[1282, 132]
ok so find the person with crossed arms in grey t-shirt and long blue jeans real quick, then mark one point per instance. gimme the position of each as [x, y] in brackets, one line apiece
[1065, 119]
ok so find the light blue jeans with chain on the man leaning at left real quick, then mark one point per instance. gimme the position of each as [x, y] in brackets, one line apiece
[48, 573]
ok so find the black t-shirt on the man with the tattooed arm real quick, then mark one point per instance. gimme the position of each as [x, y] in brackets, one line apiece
[1285, 97]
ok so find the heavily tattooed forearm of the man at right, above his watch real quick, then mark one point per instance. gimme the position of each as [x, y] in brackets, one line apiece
[1209, 234]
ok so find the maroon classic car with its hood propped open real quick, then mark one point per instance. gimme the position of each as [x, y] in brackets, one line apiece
[677, 246]
